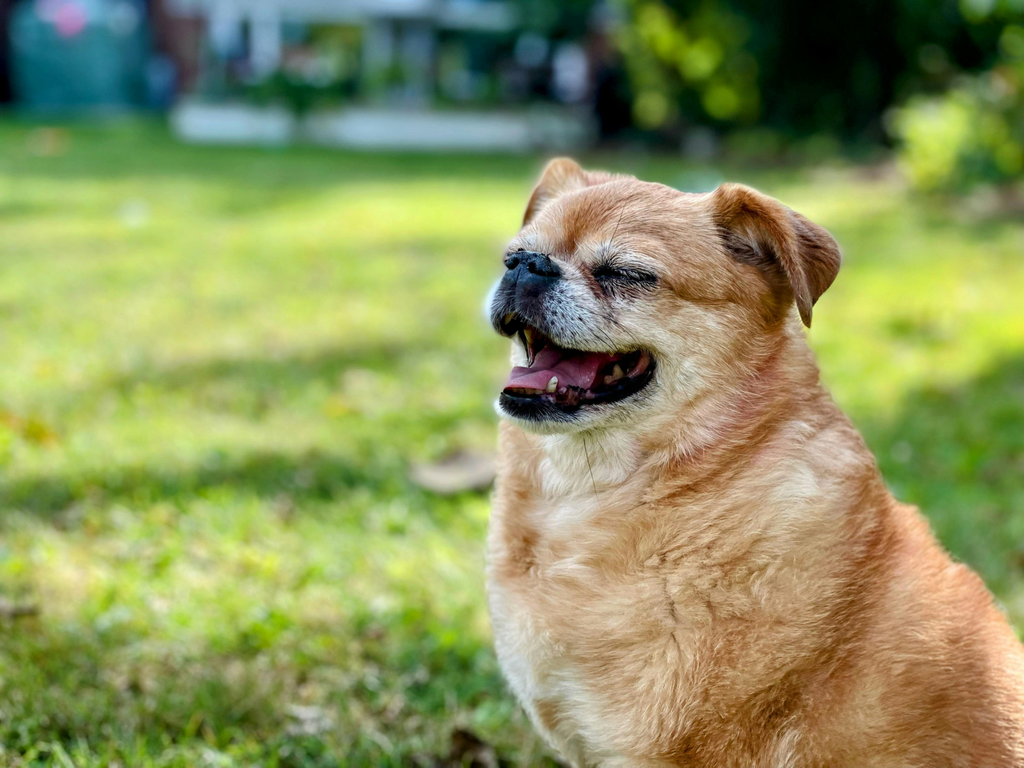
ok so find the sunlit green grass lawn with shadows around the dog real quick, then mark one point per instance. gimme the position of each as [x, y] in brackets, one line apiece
[220, 364]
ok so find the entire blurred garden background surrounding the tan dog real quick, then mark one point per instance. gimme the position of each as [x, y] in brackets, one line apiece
[246, 423]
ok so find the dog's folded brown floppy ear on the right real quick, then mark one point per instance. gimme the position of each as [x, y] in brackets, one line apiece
[764, 233]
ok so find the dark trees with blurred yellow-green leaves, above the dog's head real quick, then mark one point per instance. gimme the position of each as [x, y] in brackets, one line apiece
[795, 66]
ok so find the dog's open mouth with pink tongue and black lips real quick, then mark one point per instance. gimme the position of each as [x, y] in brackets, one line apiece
[570, 379]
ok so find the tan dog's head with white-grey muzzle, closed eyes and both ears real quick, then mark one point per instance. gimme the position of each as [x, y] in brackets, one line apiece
[625, 298]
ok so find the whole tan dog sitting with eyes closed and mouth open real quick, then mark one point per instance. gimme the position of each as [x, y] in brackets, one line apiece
[694, 560]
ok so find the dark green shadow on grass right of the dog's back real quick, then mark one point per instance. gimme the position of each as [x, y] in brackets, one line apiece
[958, 453]
